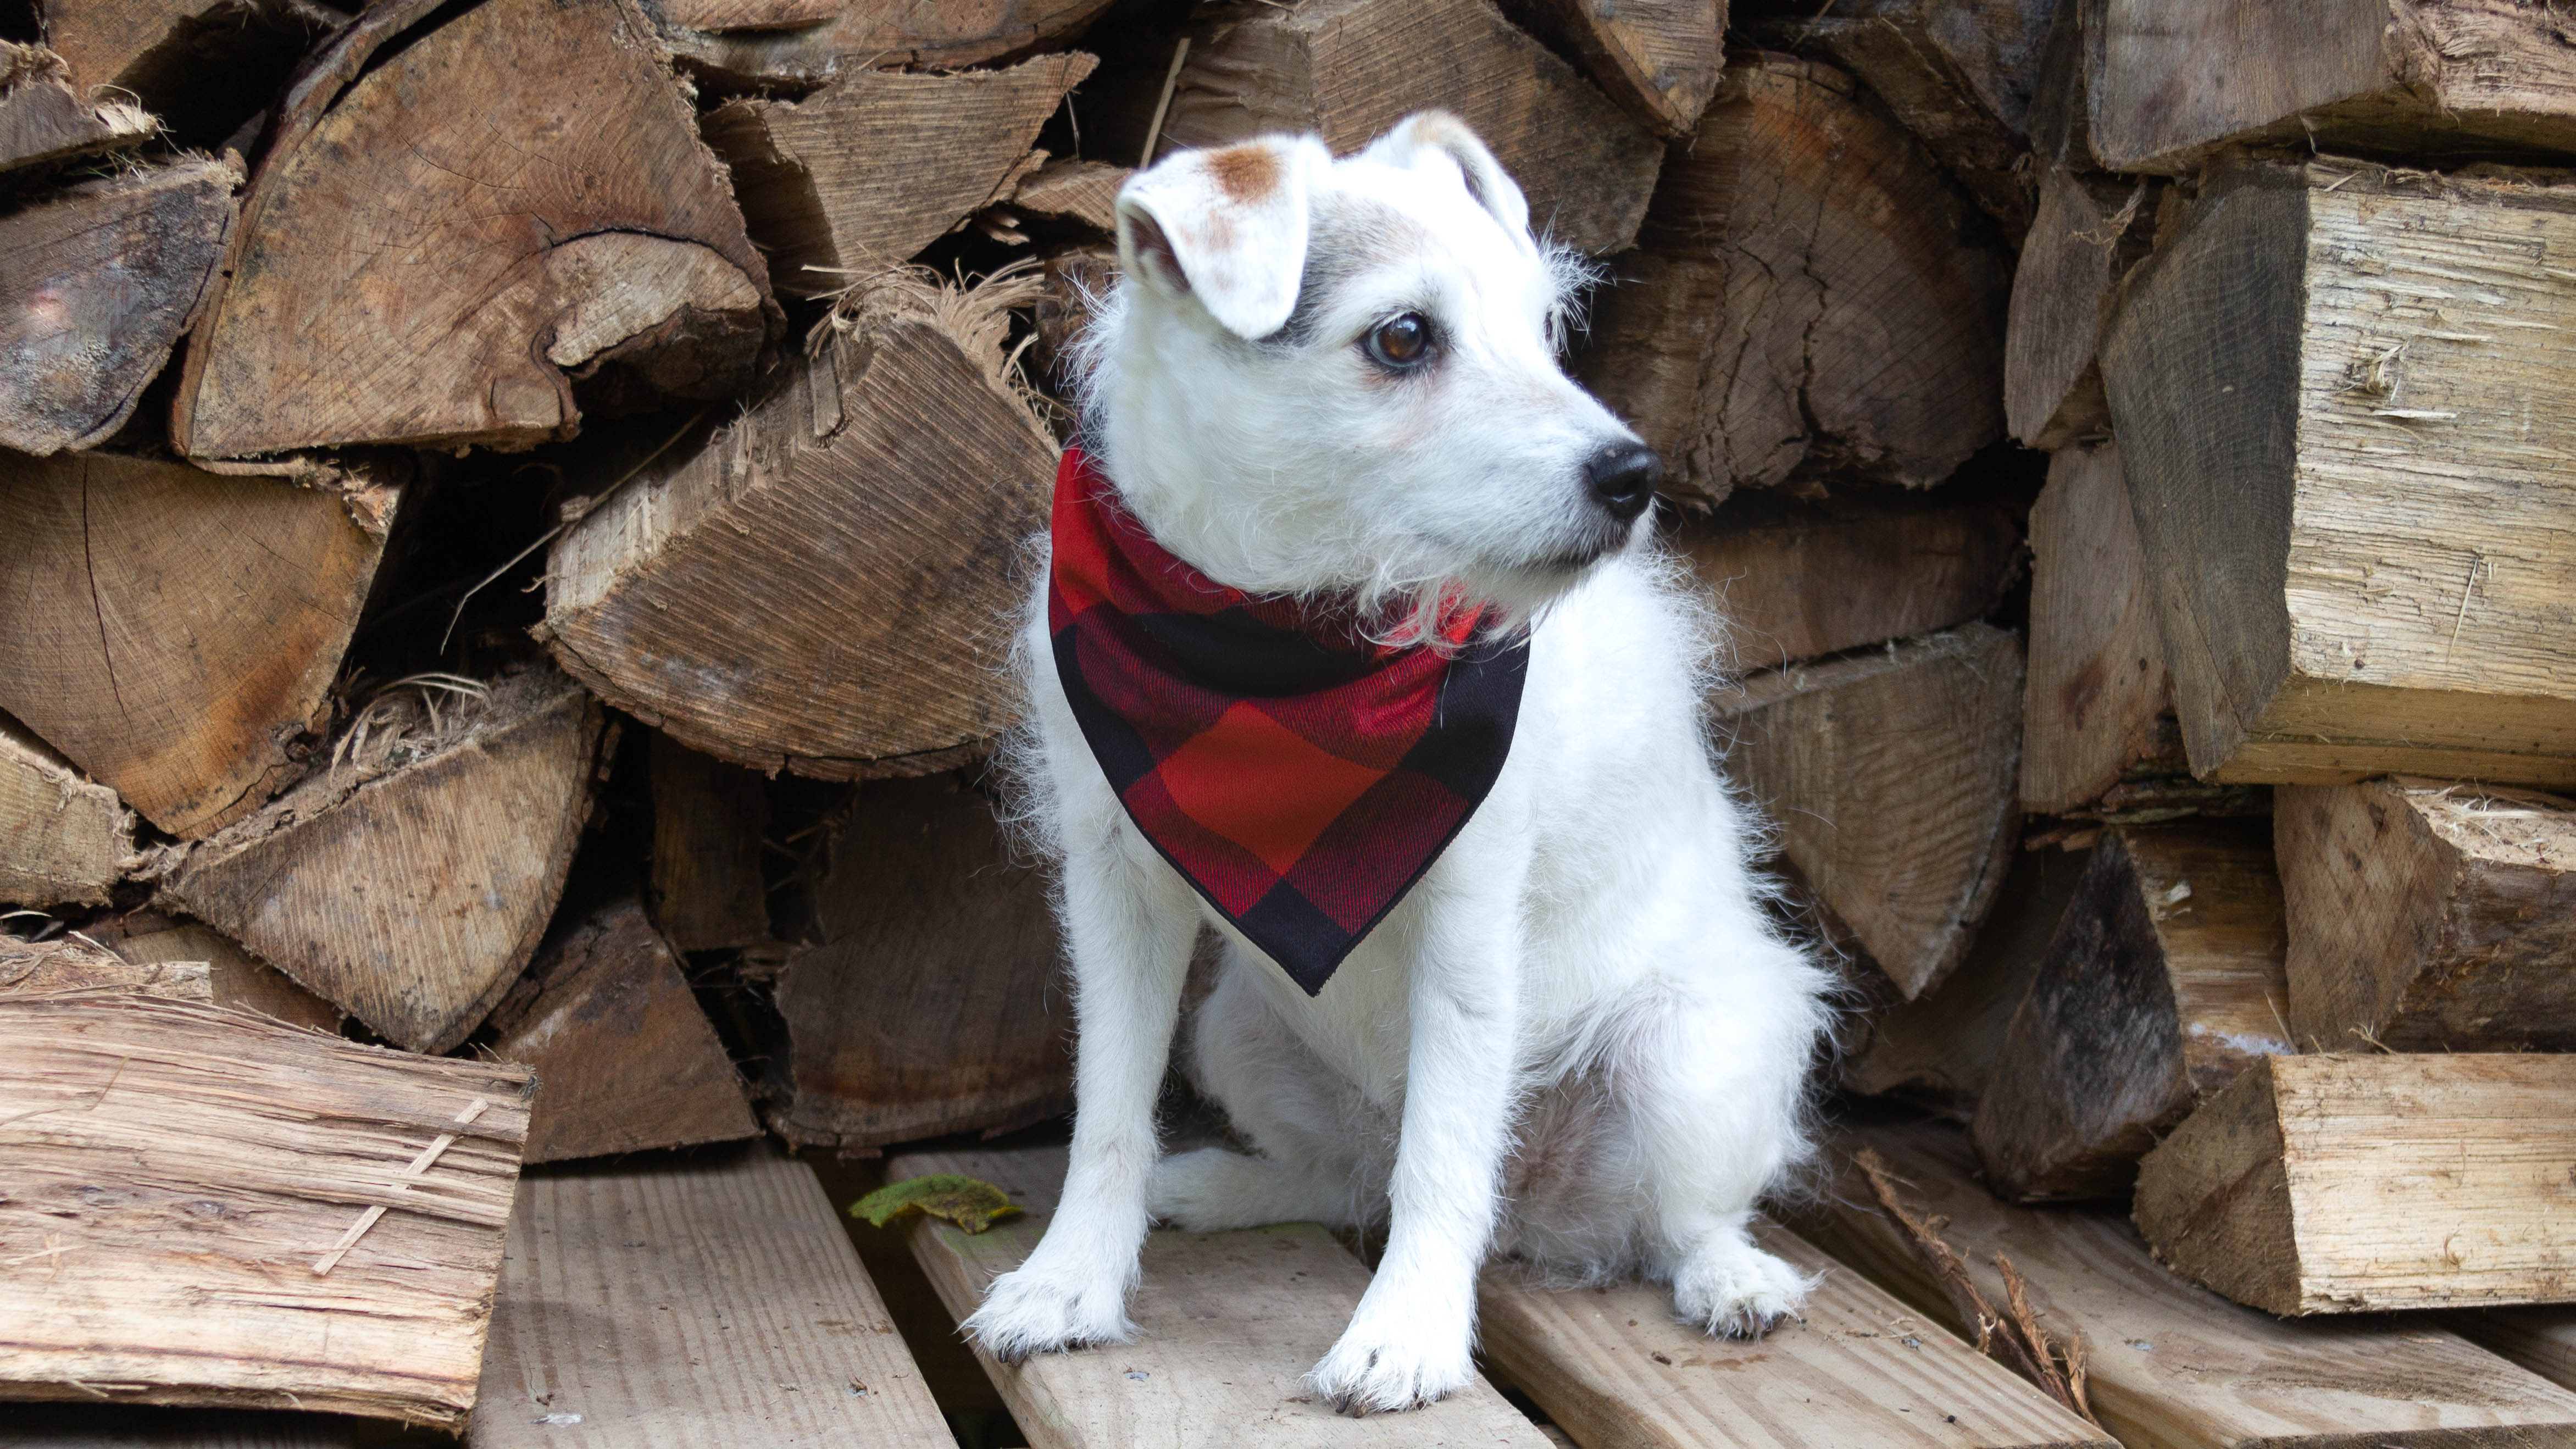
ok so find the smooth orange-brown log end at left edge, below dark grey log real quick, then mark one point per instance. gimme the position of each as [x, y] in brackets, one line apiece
[174, 630]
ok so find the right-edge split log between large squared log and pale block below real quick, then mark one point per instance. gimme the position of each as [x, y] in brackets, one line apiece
[2430, 917]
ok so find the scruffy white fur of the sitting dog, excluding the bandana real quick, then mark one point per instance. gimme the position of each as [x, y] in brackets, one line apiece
[1580, 1038]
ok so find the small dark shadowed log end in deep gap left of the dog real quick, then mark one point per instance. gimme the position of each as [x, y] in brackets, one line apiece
[707, 821]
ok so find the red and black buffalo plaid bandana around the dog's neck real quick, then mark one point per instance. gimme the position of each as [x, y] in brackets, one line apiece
[1297, 775]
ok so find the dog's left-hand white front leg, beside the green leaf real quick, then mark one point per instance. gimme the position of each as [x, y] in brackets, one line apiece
[1130, 927]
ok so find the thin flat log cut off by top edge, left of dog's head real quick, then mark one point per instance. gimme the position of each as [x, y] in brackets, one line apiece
[759, 45]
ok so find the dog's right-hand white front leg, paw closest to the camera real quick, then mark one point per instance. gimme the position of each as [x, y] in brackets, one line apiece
[1413, 1337]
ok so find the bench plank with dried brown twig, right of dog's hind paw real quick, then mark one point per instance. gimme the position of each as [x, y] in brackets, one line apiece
[2173, 1365]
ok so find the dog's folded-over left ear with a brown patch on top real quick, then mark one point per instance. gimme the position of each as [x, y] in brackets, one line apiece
[1227, 228]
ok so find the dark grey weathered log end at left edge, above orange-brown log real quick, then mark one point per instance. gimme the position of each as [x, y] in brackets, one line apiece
[99, 287]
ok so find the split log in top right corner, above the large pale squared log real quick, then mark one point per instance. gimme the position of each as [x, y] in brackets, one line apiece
[2168, 81]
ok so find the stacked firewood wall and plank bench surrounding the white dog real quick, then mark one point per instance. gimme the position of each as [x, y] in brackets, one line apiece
[509, 530]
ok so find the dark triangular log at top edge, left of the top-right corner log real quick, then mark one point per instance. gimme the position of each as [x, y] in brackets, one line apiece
[1956, 73]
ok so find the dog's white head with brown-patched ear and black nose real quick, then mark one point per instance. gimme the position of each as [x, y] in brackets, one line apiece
[1341, 375]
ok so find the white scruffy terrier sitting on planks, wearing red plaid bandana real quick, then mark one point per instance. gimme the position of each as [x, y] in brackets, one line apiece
[1351, 648]
